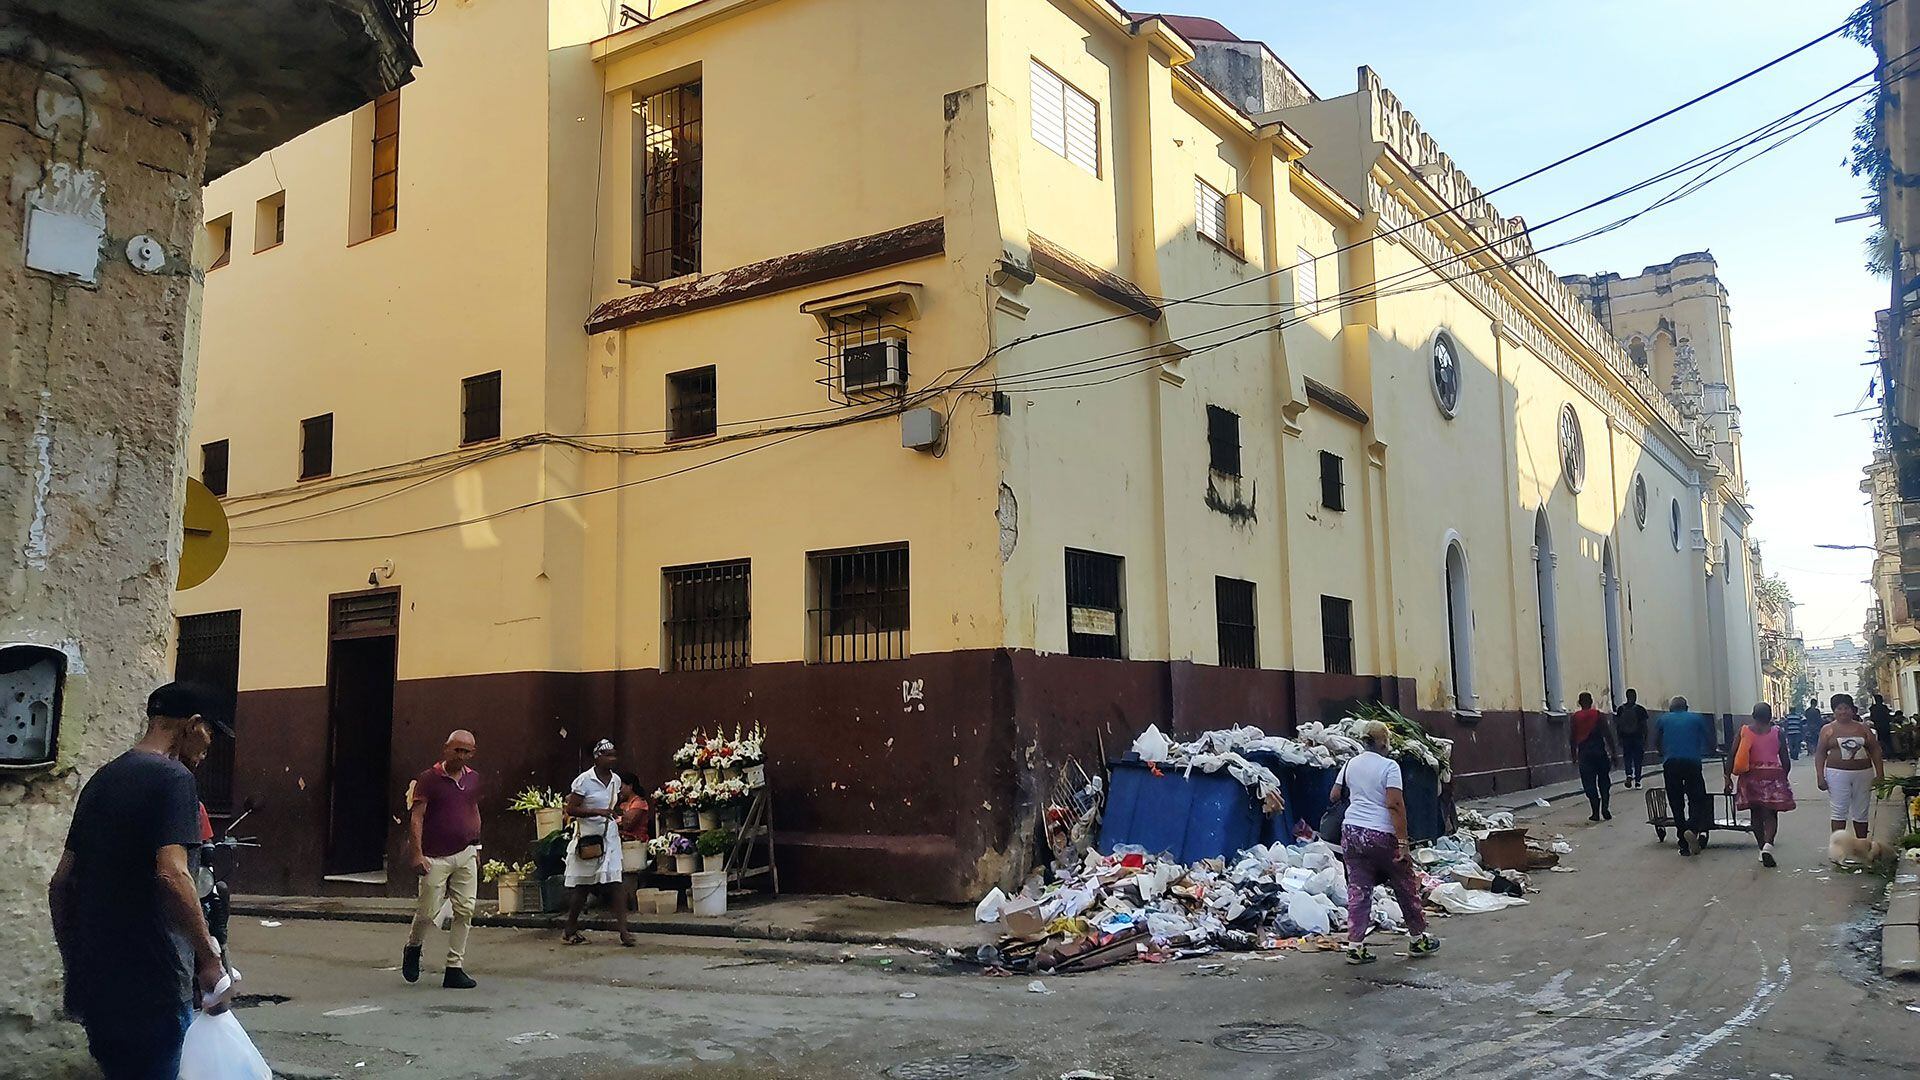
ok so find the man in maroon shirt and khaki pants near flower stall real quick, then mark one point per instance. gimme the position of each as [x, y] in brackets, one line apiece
[444, 845]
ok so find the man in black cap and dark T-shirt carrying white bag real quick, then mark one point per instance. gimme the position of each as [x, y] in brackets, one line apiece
[126, 910]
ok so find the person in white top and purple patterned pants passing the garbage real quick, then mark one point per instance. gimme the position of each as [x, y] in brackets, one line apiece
[1374, 843]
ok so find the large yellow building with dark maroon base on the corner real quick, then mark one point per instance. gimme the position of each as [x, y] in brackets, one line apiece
[953, 389]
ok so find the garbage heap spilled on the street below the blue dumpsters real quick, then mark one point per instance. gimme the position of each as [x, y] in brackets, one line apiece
[1136, 906]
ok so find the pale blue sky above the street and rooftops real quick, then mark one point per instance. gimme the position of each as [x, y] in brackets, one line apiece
[1506, 87]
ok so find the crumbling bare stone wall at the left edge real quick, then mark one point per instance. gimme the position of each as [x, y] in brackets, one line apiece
[95, 395]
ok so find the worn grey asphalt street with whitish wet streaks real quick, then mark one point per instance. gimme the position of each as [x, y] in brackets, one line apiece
[1637, 966]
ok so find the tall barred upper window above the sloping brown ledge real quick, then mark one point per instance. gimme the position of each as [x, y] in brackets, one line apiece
[667, 197]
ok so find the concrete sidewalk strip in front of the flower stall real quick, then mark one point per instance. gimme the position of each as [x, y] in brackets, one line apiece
[832, 920]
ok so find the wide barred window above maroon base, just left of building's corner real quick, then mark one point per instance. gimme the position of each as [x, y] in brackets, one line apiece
[857, 604]
